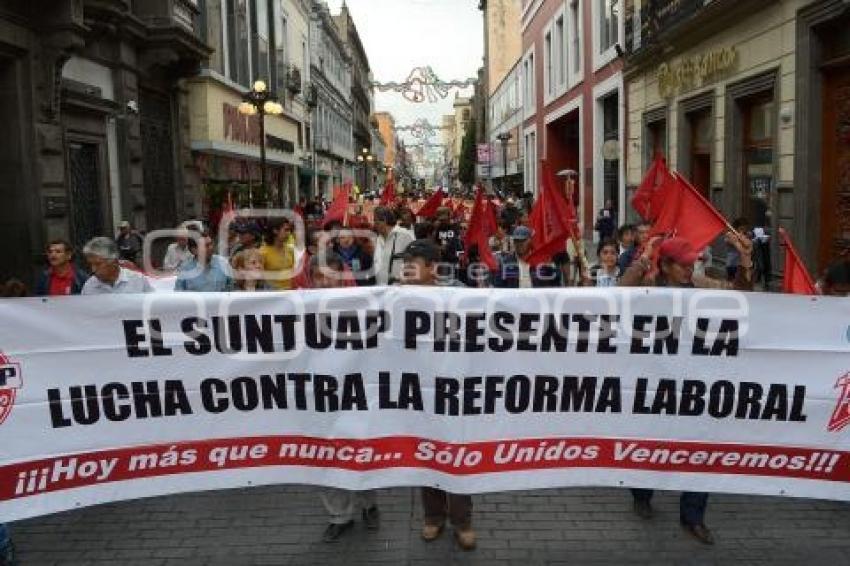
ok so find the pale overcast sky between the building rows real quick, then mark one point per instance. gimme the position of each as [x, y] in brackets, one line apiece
[399, 35]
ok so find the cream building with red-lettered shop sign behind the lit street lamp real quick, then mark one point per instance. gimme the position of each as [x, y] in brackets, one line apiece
[226, 144]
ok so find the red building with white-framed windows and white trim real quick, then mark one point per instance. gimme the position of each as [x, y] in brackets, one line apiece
[573, 98]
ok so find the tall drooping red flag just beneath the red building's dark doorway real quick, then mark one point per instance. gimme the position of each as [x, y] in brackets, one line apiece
[553, 220]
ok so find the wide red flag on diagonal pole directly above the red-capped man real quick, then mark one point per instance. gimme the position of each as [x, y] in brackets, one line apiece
[687, 214]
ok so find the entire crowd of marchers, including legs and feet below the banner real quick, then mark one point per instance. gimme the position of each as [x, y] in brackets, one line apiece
[390, 246]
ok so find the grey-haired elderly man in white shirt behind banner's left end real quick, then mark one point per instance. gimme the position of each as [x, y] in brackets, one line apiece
[108, 277]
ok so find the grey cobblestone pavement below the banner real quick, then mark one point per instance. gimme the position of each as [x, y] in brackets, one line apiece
[283, 525]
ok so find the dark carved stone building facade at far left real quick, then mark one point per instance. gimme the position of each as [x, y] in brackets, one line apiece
[95, 121]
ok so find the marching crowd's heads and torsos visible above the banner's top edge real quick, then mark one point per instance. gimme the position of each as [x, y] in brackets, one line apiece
[265, 255]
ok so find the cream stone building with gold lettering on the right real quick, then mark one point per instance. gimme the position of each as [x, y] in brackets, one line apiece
[736, 96]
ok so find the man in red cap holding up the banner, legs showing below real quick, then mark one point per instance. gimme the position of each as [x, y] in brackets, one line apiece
[676, 259]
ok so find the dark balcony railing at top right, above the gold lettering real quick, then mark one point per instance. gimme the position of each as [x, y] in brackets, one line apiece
[657, 18]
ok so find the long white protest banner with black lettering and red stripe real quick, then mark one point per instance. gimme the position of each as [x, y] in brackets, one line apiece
[111, 398]
